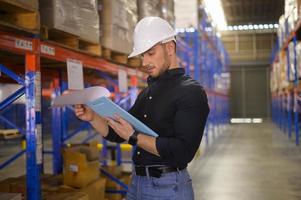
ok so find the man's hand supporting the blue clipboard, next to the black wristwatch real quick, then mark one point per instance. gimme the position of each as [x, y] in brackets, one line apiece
[121, 127]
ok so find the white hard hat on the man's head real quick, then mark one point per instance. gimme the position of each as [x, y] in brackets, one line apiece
[150, 31]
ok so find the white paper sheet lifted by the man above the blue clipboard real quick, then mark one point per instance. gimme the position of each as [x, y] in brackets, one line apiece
[81, 96]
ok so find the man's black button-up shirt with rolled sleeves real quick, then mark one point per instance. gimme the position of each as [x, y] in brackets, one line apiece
[174, 106]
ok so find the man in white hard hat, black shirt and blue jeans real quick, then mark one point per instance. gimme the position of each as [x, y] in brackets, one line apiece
[173, 105]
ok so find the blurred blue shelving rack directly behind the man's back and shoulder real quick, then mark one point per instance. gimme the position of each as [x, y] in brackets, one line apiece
[205, 59]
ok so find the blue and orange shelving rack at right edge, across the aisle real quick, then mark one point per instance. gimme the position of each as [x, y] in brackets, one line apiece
[286, 103]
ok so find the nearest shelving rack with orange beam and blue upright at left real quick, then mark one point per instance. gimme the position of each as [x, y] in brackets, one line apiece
[33, 49]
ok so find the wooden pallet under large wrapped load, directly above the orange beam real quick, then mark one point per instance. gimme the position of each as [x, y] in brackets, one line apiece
[70, 41]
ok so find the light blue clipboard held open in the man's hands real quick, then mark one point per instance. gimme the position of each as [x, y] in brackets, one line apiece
[107, 108]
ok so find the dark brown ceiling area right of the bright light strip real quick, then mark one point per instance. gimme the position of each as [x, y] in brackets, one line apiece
[239, 12]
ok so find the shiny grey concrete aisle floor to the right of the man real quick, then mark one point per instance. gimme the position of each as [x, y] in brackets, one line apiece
[249, 162]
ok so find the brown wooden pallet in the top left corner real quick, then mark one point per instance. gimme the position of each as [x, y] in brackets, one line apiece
[15, 15]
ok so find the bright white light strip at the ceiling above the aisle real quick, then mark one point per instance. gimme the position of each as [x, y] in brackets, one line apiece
[216, 12]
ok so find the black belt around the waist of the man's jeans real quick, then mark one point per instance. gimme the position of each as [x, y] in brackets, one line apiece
[155, 171]
